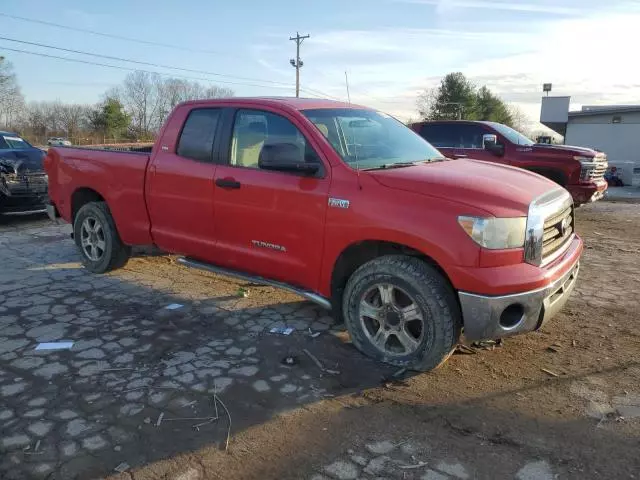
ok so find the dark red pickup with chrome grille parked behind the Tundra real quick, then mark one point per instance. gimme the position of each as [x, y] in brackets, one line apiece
[579, 170]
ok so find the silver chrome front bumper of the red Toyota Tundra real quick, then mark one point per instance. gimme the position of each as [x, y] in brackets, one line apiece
[491, 317]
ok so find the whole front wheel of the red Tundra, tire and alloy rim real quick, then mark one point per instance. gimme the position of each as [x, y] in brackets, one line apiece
[401, 311]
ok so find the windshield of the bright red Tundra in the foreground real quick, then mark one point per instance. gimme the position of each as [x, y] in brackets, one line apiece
[367, 139]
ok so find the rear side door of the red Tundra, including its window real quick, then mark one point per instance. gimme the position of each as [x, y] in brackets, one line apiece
[180, 189]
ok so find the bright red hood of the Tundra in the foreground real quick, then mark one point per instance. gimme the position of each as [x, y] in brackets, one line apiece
[500, 190]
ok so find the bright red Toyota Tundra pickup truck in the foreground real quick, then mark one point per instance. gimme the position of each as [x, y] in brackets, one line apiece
[340, 204]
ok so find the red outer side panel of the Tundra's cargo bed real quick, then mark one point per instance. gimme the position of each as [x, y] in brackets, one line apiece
[117, 177]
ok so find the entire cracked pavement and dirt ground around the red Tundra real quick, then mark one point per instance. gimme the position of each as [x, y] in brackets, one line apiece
[152, 390]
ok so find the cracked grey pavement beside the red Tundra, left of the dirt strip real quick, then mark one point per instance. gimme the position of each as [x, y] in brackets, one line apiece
[138, 372]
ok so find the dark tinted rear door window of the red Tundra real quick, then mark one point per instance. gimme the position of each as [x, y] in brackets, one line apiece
[198, 134]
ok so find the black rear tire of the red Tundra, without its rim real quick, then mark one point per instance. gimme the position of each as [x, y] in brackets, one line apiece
[116, 253]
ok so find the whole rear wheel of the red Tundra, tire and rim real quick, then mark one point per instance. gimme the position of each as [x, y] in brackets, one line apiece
[98, 240]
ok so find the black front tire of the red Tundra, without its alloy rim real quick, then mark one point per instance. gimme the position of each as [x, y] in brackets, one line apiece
[431, 292]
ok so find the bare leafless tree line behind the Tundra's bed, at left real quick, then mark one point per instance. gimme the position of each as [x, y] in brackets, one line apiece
[132, 111]
